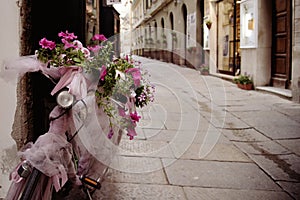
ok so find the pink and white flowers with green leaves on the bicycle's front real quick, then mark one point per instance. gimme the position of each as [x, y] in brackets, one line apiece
[122, 81]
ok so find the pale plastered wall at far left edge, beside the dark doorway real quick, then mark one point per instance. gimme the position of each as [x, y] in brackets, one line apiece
[9, 40]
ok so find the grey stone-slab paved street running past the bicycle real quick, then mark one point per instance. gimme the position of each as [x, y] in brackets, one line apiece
[204, 138]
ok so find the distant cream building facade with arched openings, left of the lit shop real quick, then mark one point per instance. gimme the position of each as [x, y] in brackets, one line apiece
[160, 28]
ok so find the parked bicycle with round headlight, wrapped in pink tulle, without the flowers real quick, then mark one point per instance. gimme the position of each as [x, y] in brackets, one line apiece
[36, 183]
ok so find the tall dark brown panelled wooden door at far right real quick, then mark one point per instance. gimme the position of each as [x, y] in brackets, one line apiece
[281, 44]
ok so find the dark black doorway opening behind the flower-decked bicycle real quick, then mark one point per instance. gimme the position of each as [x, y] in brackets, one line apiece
[37, 24]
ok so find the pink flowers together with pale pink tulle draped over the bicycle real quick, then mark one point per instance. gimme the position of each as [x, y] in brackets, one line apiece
[110, 90]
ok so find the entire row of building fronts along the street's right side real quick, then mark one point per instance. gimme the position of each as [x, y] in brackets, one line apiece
[253, 37]
